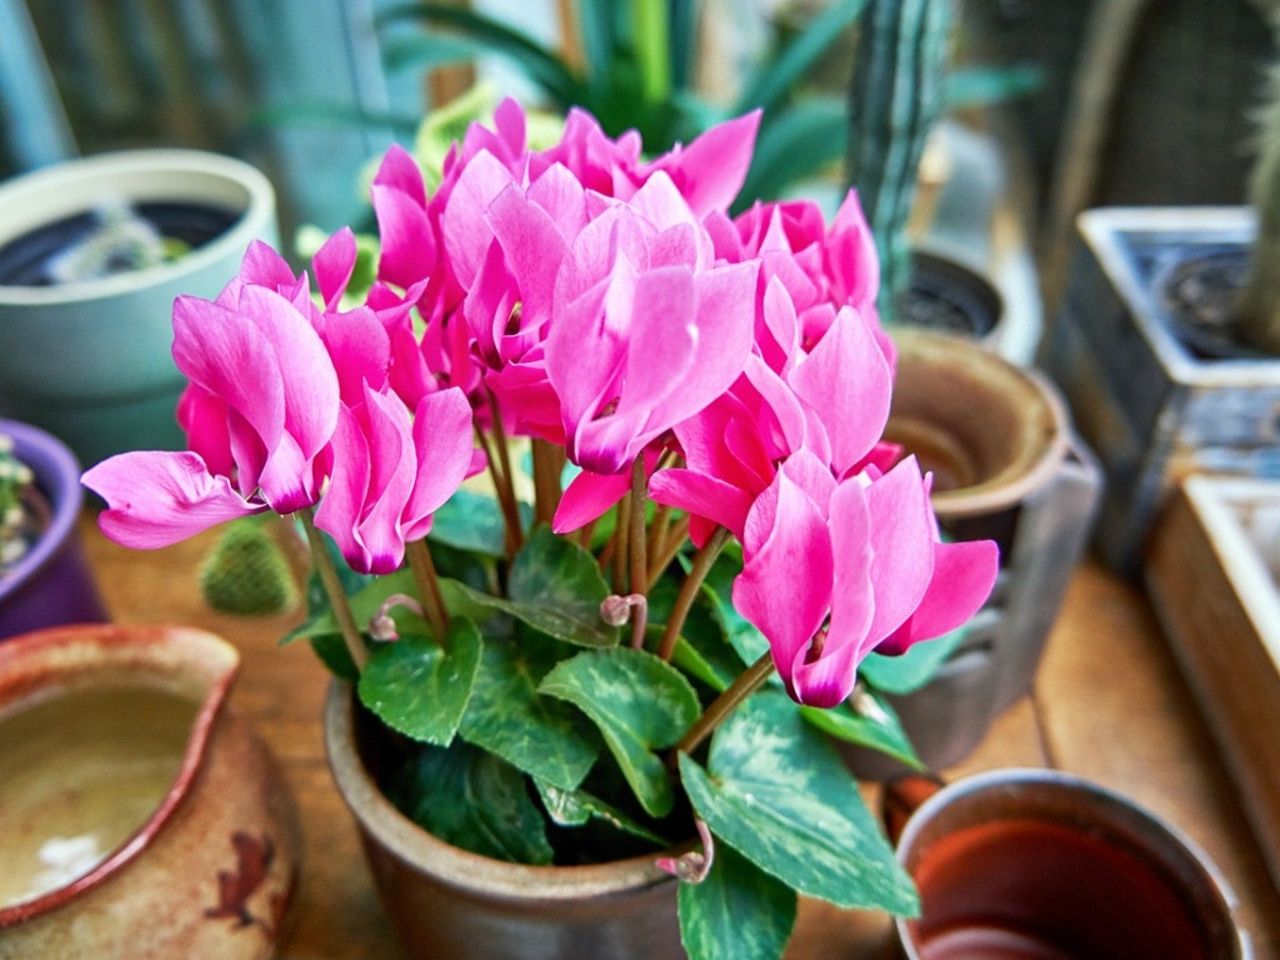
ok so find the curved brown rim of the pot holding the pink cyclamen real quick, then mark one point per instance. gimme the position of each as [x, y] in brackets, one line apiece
[461, 870]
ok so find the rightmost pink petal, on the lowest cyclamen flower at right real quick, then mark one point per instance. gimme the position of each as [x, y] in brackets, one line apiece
[963, 578]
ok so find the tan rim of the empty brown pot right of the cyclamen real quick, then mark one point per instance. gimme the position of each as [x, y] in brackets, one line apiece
[1035, 467]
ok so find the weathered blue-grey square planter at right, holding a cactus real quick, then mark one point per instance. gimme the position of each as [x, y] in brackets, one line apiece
[1158, 403]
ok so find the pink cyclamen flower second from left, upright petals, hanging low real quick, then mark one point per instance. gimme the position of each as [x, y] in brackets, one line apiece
[391, 472]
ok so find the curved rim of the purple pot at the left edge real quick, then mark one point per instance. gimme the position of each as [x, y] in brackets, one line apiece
[58, 477]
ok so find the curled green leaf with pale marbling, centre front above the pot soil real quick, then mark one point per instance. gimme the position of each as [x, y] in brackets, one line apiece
[639, 703]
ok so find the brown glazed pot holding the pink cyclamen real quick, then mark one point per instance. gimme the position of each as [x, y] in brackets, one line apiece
[450, 904]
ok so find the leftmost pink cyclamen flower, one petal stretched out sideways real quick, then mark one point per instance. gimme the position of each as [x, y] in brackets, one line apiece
[260, 412]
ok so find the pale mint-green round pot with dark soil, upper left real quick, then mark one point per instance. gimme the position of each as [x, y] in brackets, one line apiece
[89, 360]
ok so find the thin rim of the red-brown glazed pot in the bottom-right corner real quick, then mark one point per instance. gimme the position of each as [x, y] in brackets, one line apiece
[1117, 804]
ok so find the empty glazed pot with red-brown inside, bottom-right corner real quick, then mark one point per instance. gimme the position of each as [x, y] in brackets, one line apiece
[1046, 866]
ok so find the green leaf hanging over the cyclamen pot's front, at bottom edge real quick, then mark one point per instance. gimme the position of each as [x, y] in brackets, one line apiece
[738, 913]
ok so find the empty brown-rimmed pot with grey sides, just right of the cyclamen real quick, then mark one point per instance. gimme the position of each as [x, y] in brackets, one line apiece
[1007, 467]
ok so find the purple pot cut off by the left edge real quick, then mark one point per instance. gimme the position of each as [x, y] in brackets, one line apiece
[52, 584]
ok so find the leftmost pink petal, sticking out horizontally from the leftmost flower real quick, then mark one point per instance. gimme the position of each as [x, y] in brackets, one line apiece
[159, 499]
